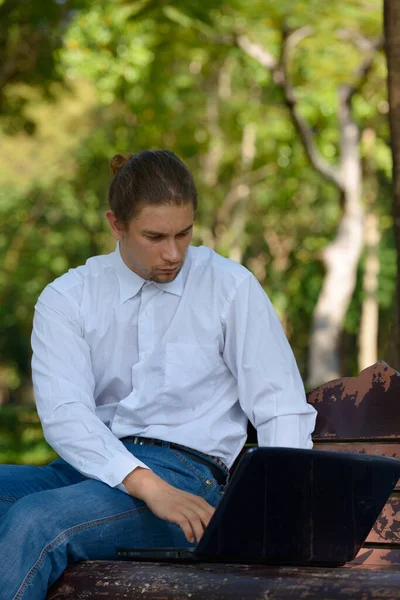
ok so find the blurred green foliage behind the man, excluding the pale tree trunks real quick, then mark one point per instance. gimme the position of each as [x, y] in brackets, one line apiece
[116, 76]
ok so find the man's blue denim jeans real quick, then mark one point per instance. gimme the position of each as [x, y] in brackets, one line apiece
[53, 516]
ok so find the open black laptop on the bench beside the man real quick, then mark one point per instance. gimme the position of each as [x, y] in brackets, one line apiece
[288, 506]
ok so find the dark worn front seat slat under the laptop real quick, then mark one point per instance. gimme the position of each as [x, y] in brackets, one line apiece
[145, 581]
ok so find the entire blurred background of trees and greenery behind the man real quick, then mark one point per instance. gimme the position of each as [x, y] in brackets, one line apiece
[280, 109]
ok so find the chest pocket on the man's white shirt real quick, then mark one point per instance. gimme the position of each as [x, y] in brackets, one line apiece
[190, 373]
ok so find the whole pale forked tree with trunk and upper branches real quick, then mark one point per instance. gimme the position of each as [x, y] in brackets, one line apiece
[342, 255]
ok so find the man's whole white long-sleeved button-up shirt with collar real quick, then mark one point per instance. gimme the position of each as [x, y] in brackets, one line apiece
[187, 361]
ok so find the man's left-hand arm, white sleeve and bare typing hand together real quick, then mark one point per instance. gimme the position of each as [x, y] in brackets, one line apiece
[64, 388]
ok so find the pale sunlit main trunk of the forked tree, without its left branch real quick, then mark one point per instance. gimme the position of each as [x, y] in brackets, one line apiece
[341, 257]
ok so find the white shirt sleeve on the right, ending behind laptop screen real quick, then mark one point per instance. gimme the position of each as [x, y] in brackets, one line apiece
[270, 389]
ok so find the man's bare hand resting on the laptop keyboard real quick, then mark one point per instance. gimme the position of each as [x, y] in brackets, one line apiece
[190, 512]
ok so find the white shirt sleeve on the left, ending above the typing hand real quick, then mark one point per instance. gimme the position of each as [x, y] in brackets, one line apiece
[64, 391]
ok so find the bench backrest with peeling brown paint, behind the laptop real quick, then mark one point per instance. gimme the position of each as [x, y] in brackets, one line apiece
[362, 414]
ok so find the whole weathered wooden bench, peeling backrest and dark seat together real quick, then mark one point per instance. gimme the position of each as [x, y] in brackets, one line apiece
[355, 414]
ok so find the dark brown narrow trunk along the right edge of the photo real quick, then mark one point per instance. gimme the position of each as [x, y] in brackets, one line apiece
[392, 41]
